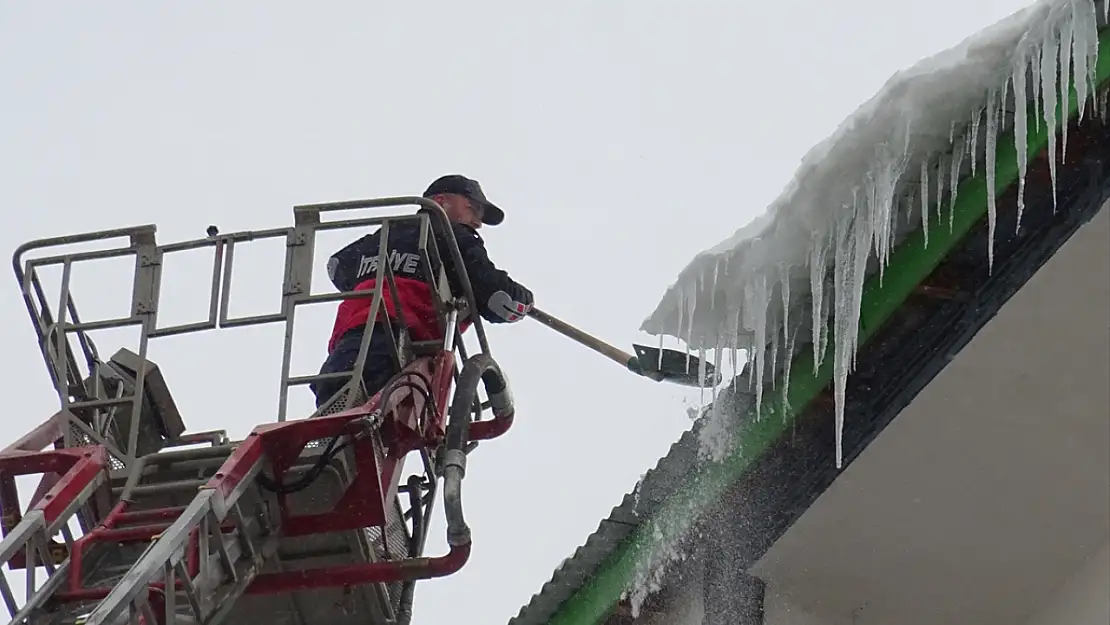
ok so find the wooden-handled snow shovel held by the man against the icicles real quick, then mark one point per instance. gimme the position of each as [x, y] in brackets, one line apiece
[662, 366]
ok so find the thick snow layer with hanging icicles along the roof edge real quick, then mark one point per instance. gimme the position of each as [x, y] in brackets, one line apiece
[883, 172]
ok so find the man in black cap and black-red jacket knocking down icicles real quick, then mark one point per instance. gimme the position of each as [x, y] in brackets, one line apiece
[355, 268]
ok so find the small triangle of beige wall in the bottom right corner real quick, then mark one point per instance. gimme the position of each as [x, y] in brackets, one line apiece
[1083, 600]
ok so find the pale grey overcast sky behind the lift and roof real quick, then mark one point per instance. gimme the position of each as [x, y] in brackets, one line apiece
[622, 138]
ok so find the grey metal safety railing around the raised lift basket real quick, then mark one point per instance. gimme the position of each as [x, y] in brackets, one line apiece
[59, 326]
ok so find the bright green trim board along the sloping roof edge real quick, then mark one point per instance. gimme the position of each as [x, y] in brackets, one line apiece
[910, 265]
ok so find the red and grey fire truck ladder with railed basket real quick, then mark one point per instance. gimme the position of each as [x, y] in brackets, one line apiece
[304, 522]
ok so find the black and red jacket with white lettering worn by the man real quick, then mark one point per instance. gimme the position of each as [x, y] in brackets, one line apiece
[355, 268]
